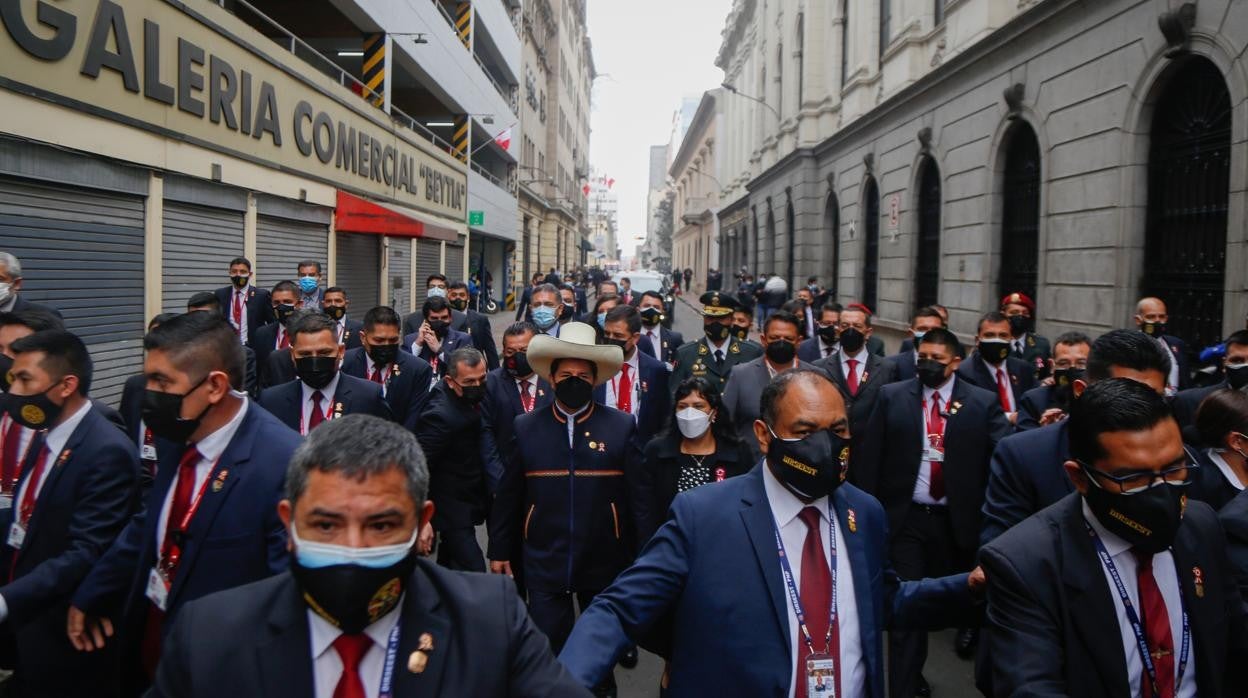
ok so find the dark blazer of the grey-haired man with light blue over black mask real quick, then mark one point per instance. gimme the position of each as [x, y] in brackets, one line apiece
[255, 640]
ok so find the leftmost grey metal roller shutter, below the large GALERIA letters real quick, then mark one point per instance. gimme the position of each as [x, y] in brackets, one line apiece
[83, 253]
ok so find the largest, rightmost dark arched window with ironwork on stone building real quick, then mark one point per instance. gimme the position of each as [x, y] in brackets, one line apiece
[1189, 197]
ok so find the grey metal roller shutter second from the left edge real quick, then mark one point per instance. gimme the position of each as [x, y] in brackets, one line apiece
[199, 245]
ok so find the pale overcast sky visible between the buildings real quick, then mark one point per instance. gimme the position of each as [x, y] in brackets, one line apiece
[650, 54]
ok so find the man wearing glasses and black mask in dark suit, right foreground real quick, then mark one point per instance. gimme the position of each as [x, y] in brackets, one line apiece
[1124, 589]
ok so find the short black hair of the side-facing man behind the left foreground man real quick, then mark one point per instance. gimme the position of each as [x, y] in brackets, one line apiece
[199, 344]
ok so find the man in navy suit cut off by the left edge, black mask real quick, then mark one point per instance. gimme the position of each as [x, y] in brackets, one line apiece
[73, 496]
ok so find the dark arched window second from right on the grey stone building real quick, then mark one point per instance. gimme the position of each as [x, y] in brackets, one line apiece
[1020, 214]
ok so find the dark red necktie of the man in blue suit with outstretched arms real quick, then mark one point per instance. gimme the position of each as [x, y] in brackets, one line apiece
[817, 600]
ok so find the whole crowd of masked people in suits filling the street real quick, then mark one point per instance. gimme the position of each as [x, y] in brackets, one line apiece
[288, 500]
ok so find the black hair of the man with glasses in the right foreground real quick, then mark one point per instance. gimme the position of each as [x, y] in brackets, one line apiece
[1113, 405]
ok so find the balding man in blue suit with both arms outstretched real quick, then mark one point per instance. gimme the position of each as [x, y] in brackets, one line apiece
[737, 632]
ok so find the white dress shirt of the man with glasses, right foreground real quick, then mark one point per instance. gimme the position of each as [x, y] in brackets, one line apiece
[1168, 581]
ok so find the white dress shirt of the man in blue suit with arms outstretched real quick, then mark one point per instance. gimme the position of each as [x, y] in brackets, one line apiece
[786, 509]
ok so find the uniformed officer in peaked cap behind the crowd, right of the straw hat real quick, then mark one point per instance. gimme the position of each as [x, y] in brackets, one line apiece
[714, 355]
